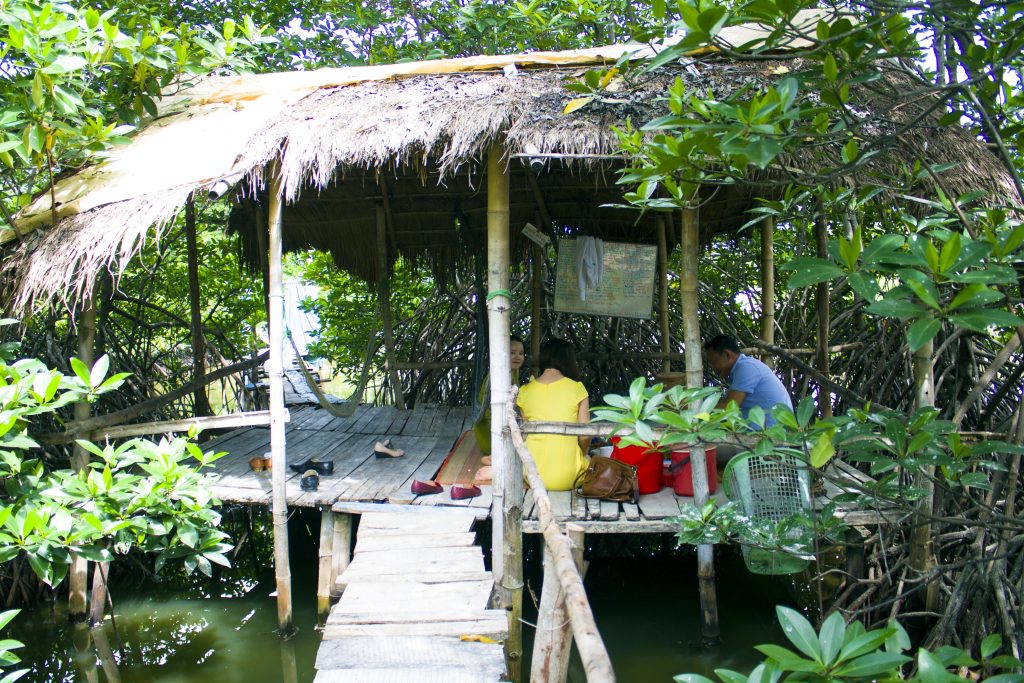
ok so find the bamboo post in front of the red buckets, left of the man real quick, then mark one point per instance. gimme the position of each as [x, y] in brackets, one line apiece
[691, 246]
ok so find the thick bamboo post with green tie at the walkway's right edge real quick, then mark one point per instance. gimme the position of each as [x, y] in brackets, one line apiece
[508, 492]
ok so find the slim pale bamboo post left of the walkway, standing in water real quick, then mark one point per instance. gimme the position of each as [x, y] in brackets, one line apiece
[276, 371]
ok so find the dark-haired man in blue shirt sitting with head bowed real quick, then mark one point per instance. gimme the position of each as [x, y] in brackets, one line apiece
[751, 382]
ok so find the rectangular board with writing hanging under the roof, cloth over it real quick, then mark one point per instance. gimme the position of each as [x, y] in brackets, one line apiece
[627, 290]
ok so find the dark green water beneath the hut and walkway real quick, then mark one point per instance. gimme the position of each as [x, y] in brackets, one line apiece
[191, 630]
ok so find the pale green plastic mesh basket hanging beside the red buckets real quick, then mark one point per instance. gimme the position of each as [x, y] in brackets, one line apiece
[771, 489]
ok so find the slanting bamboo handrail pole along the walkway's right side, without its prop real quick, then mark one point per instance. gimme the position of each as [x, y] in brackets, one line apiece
[595, 658]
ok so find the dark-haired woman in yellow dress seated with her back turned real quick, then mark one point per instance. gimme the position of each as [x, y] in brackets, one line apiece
[557, 395]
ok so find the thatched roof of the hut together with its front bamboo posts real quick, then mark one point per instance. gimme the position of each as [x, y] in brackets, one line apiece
[418, 160]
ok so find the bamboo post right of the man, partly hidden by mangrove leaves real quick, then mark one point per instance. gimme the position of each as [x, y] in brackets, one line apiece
[922, 559]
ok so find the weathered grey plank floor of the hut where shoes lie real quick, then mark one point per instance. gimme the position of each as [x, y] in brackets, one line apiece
[362, 483]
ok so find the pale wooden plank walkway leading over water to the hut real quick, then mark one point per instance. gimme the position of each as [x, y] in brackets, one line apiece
[415, 588]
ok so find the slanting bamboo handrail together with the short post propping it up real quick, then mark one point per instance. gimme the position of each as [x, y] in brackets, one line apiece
[564, 596]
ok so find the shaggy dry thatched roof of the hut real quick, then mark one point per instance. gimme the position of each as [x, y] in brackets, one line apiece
[411, 140]
